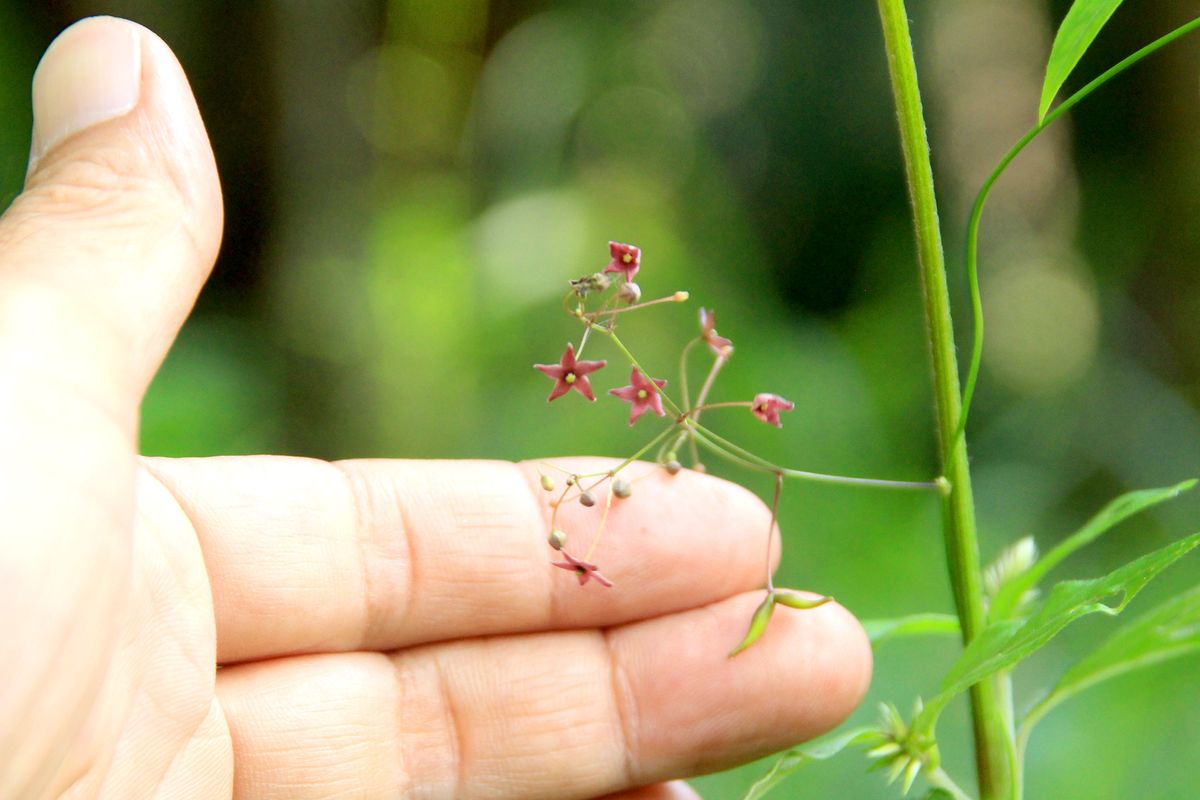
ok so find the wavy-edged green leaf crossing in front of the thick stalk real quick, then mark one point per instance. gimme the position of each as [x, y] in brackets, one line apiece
[1005, 643]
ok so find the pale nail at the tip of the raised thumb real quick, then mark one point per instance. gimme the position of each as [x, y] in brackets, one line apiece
[89, 75]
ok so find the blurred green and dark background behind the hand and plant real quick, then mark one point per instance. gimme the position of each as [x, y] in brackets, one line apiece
[411, 183]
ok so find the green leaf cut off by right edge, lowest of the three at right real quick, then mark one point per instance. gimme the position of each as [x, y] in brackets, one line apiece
[1171, 630]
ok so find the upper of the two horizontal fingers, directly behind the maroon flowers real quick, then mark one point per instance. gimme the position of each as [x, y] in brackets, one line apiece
[313, 557]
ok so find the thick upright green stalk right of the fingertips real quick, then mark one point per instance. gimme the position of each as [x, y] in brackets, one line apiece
[992, 737]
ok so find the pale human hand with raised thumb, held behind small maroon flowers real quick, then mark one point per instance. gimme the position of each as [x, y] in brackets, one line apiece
[382, 628]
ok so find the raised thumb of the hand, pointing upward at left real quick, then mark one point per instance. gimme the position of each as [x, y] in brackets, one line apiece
[104, 254]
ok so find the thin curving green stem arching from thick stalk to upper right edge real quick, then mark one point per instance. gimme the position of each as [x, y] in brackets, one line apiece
[973, 257]
